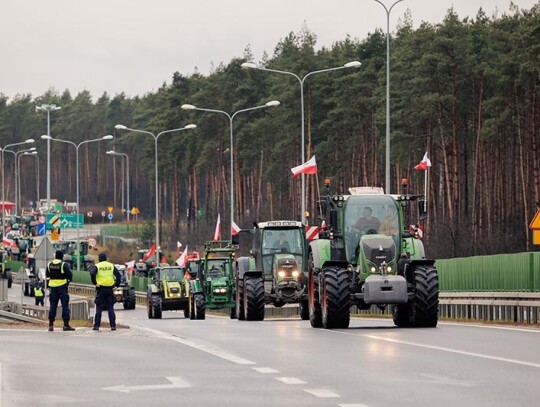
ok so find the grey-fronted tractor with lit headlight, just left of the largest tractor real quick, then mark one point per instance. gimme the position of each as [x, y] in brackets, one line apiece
[275, 271]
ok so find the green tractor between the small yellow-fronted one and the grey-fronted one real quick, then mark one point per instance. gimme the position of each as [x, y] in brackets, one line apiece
[218, 276]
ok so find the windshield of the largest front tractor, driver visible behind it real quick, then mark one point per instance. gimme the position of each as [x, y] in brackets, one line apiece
[369, 214]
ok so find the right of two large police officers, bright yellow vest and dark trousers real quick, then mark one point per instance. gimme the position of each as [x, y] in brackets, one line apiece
[105, 277]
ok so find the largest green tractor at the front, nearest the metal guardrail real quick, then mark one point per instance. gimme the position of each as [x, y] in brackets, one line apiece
[360, 261]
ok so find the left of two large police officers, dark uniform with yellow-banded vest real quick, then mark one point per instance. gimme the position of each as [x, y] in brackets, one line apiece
[59, 275]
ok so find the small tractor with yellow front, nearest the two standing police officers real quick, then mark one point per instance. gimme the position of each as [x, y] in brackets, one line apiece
[171, 289]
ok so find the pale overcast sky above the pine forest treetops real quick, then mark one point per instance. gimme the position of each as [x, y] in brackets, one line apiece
[134, 46]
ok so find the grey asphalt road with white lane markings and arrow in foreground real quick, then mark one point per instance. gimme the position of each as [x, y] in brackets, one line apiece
[276, 362]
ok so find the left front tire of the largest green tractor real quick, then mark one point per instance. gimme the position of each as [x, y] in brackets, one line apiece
[335, 301]
